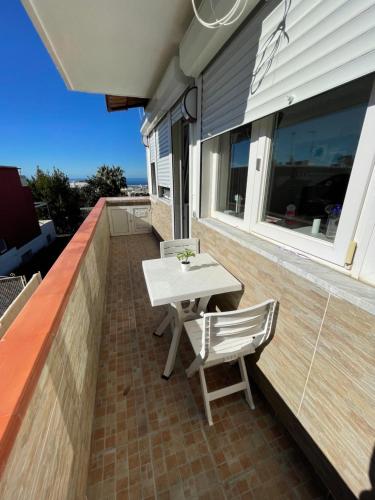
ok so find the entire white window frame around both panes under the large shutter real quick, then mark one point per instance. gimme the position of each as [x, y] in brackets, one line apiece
[259, 164]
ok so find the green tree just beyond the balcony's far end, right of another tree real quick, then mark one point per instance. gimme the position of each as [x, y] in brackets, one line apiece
[108, 181]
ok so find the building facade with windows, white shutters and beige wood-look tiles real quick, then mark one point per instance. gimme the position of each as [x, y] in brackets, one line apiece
[275, 175]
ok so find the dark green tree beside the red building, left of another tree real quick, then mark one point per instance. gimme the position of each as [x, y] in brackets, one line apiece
[63, 201]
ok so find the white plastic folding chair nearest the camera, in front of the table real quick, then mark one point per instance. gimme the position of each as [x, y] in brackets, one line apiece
[226, 337]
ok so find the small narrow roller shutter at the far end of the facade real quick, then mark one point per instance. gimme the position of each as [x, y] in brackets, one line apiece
[163, 153]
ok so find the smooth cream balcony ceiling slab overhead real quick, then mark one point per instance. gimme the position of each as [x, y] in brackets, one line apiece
[117, 47]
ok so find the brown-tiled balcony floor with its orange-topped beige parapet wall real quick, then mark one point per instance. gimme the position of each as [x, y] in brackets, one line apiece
[84, 410]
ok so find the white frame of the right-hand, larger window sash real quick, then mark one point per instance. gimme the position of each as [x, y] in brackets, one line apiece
[336, 251]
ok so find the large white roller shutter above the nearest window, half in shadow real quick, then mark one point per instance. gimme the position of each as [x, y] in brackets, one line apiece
[324, 44]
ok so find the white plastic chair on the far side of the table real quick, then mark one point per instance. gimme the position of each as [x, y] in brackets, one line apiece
[171, 248]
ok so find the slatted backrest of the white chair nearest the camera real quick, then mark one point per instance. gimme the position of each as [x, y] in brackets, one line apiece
[236, 333]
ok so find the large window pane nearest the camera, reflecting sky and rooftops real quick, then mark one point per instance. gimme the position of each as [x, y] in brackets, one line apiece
[313, 150]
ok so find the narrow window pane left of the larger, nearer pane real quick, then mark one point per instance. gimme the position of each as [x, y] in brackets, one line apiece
[233, 168]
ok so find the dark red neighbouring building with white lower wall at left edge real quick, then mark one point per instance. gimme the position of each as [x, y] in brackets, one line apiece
[21, 234]
